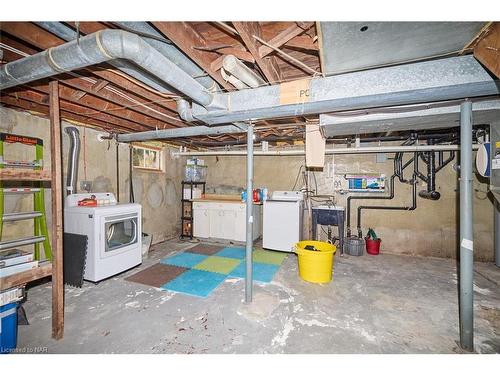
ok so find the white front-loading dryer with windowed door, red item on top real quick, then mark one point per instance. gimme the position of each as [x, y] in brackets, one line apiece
[114, 233]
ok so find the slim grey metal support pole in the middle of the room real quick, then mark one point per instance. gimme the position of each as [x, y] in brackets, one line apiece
[249, 239]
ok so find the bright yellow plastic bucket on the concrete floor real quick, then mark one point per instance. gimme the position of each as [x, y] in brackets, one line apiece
[315, 266]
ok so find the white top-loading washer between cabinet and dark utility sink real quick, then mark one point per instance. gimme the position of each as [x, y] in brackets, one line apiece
[282, 223]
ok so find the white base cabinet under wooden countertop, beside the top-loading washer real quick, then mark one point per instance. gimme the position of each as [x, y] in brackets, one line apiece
[224, 220]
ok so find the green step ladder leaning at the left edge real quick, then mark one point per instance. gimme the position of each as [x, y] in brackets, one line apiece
[38, 214]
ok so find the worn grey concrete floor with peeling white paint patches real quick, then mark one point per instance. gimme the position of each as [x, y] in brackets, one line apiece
[376, 304]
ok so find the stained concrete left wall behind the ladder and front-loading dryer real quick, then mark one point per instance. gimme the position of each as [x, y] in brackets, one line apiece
[158, 193]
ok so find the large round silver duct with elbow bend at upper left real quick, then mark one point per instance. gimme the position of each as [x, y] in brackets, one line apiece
[99, 47]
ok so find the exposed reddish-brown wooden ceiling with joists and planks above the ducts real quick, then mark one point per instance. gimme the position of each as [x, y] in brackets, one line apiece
[106, 98]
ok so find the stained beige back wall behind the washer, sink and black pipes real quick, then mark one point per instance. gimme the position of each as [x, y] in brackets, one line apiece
[430, 230]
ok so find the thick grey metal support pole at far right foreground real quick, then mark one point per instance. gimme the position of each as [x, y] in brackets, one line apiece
[466, 232]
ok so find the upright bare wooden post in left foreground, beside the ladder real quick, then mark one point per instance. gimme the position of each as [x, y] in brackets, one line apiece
[57, 224]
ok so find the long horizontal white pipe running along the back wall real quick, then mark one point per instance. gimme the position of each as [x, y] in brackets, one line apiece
[331, 151]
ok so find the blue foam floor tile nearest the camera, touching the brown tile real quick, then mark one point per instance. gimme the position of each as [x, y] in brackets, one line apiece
[195, 283]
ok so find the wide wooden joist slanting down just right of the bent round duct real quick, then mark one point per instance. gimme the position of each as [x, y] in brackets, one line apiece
[184, 36]
